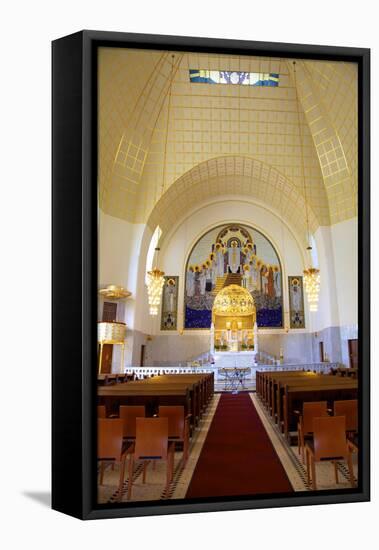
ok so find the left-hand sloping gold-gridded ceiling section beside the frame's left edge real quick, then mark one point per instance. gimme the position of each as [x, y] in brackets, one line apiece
[129, 106]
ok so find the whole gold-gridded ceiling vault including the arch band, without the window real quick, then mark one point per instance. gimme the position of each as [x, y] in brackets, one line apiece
[163, 148]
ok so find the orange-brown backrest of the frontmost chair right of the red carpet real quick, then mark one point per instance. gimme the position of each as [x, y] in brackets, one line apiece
[329, 437]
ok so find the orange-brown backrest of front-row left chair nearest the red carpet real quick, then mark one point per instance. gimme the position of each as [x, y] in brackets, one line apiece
[151, 438]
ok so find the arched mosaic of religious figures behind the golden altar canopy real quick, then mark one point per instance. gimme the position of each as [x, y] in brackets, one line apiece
[239, 255]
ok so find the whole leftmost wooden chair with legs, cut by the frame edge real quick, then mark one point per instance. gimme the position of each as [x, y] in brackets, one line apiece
[110, 447]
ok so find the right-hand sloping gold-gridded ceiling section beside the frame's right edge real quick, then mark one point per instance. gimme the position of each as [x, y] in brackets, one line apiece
[328, 94]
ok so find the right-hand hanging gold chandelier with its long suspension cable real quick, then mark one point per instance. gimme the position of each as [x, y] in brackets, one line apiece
[311, 274]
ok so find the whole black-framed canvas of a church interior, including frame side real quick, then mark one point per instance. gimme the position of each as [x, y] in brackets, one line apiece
[210, 275]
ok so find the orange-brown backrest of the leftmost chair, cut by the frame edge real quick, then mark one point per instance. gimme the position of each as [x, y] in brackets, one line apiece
[109, 438]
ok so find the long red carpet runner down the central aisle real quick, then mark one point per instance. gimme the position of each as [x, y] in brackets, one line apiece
[237, 457]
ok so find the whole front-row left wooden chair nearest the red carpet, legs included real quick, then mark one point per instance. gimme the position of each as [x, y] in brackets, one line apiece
[151, 444]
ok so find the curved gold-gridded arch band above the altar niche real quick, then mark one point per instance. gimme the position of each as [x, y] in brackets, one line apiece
[237, 176]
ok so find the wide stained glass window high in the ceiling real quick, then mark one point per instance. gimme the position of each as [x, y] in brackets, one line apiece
[233, 77]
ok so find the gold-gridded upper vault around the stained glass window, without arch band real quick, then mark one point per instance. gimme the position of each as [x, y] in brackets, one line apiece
[208, 121]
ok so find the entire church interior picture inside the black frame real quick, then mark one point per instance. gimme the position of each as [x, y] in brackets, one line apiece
[227, 275]
